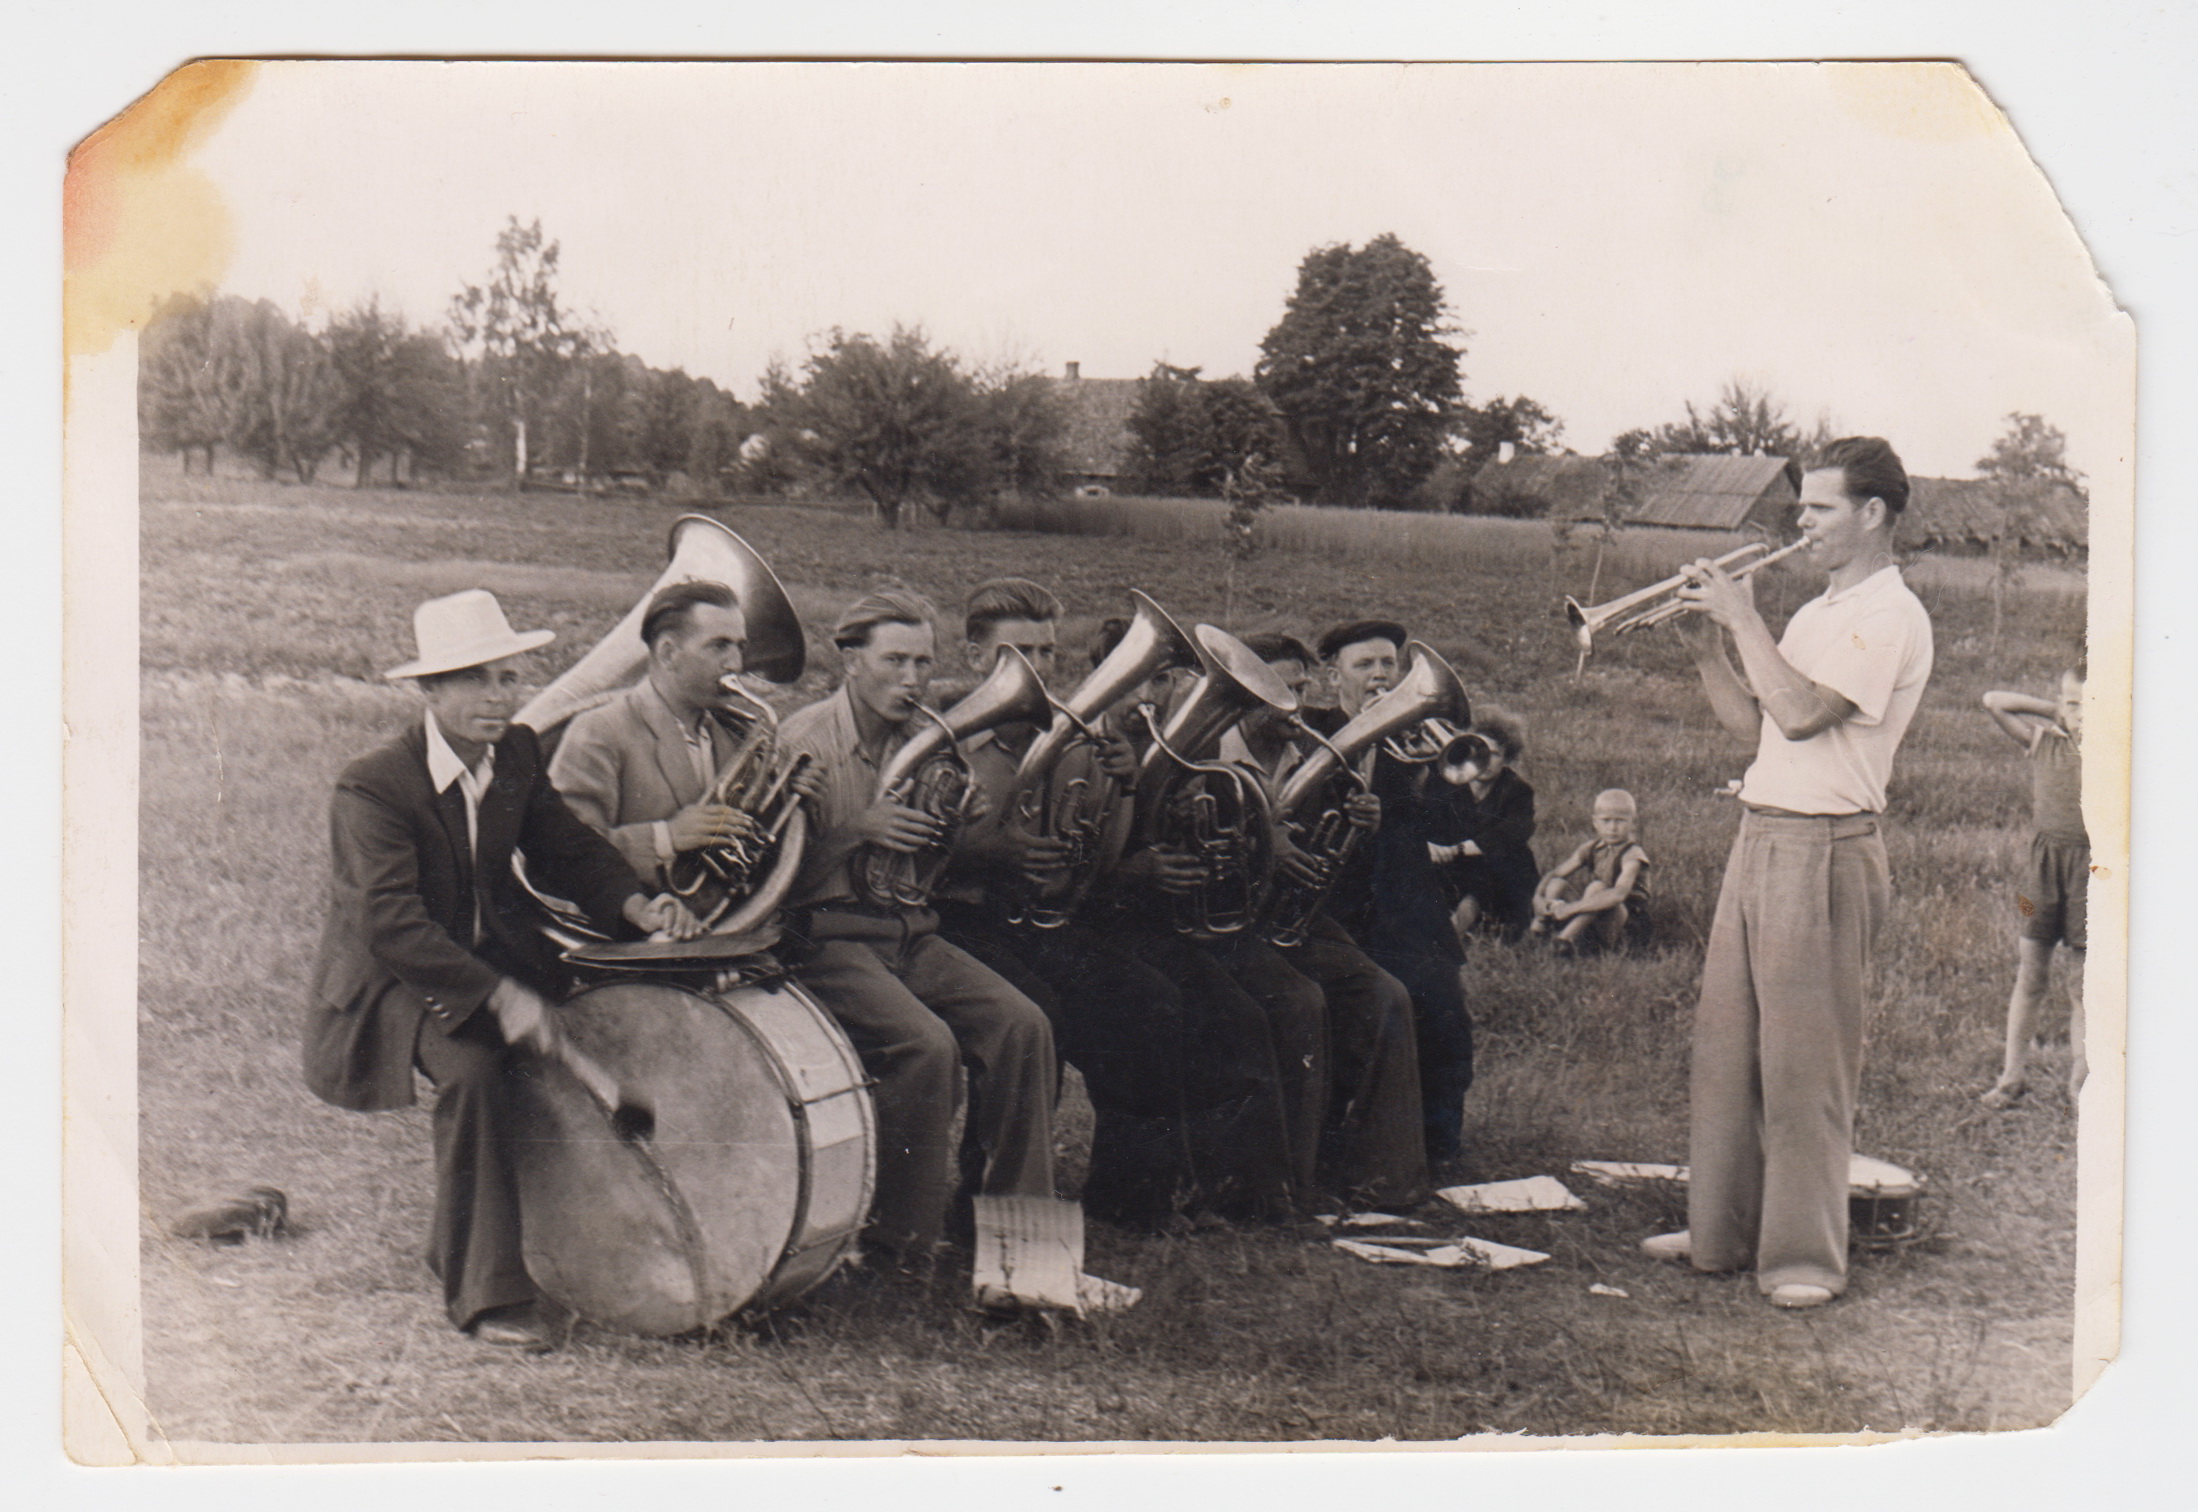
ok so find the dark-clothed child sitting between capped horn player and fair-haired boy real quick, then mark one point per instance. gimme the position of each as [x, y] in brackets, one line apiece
[1480, 834]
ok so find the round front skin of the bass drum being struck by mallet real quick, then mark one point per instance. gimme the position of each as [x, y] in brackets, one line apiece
[682, 1230]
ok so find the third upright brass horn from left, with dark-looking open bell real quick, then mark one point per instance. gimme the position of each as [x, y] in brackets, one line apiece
[1214, 810]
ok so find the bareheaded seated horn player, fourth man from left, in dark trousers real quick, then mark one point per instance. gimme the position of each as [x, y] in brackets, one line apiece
[1115, 1019]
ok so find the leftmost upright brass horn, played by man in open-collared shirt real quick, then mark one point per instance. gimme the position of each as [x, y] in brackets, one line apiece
[933, 777]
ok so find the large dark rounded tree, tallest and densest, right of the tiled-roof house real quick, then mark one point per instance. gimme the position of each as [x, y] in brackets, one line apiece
[1362, 373]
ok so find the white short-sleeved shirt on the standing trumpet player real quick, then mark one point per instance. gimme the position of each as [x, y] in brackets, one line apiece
[1872, 645]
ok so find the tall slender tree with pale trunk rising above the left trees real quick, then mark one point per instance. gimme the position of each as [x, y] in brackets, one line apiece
[522, 333]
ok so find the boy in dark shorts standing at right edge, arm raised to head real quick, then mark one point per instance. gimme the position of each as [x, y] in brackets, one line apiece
[2058, 878]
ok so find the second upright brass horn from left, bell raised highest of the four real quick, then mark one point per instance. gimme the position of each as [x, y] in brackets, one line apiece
[1061, 788]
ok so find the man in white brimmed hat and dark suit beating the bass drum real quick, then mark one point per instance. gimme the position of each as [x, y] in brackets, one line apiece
[432, 957]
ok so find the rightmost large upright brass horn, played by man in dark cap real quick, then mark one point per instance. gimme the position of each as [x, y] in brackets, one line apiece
[1311, 801]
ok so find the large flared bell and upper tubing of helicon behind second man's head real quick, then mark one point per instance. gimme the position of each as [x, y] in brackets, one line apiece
[704, 553]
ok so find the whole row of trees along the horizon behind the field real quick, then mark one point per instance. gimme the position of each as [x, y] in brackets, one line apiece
[1357, 401]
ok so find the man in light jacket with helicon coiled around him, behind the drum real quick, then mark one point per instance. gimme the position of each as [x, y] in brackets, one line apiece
[641, 766]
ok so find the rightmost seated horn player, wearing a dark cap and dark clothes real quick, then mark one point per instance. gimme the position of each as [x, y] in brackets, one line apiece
[1390, 898]
